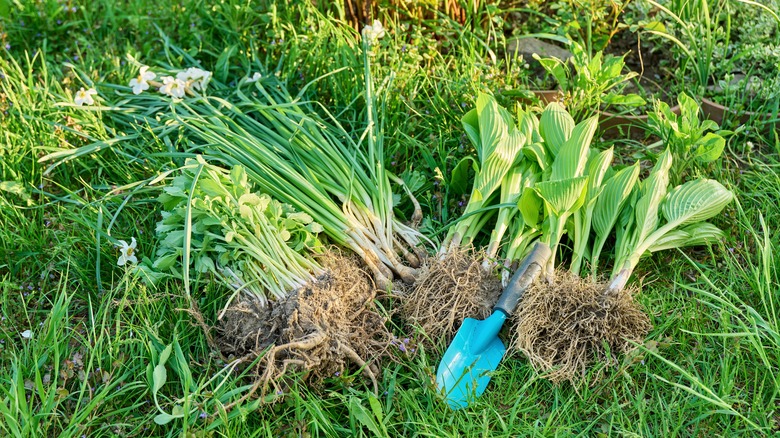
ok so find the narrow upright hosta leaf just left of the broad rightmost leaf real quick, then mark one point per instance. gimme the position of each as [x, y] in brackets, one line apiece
[652, 192]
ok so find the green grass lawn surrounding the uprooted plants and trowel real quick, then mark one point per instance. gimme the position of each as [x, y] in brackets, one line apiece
[81, 339]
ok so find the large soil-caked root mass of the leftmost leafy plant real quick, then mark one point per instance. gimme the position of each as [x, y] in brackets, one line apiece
[321, 330]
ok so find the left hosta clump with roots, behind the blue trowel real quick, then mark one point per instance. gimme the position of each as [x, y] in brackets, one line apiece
[533, 173]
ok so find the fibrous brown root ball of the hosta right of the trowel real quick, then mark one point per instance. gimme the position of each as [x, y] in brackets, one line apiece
[570, 324]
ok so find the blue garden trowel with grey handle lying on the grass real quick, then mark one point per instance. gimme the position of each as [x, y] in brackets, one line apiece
[476, 350]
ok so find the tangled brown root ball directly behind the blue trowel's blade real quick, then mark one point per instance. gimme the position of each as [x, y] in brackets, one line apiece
[447, 291]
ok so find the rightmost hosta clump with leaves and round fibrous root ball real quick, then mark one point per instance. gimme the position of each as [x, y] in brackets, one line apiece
[567, 325]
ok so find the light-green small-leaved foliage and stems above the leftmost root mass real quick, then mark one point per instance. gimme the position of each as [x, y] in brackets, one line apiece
[214, 222]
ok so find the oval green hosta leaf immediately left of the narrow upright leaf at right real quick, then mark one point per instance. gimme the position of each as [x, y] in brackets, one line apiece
[615, 193]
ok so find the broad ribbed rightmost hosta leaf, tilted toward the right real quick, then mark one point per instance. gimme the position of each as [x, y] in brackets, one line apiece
[695, 201]
